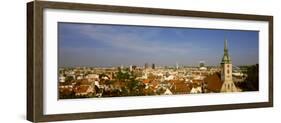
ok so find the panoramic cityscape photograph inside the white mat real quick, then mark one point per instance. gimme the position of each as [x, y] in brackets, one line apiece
[105, 60]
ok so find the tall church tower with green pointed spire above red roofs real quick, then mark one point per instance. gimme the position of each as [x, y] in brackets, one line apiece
[226, 72]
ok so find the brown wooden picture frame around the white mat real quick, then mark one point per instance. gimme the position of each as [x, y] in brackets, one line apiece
[35, 62]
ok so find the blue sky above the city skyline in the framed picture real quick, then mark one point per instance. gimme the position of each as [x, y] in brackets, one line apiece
[115, 45]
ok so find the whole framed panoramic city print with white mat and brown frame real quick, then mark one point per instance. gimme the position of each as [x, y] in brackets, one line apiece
[97, 61]
